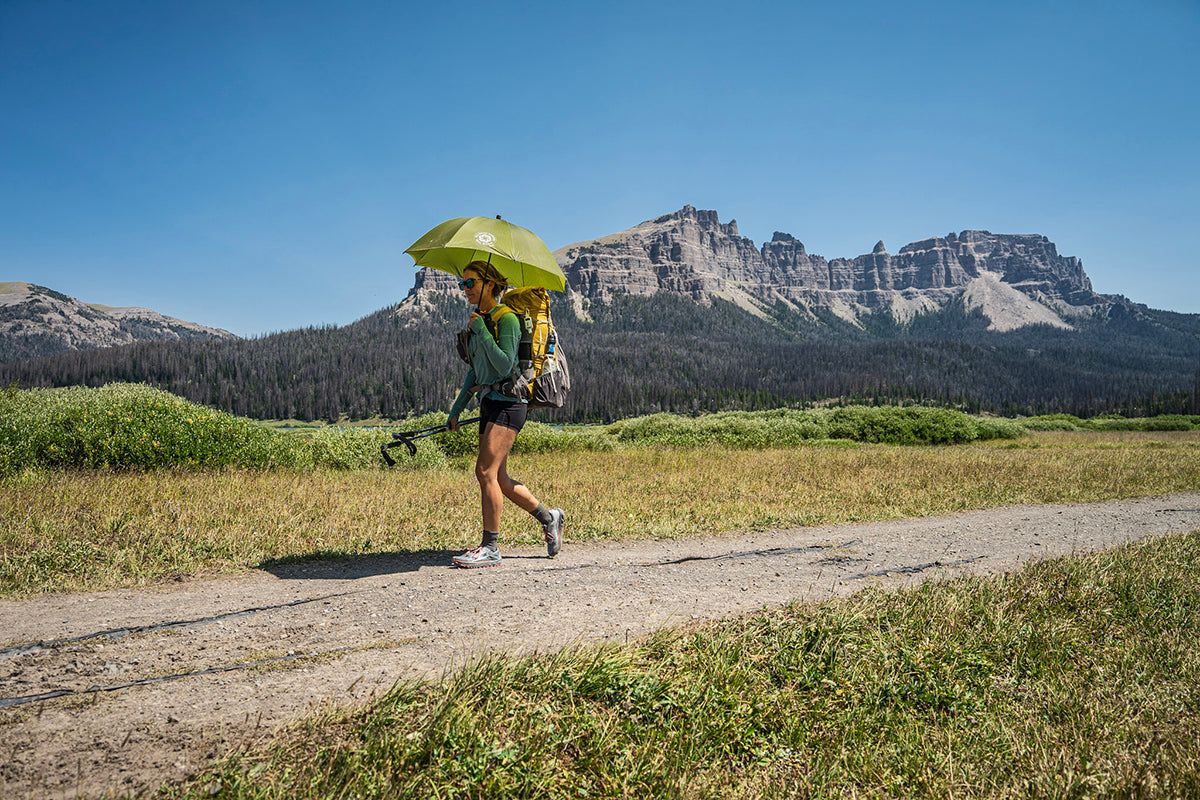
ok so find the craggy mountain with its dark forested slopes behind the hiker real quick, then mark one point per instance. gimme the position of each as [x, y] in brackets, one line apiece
[681, 314]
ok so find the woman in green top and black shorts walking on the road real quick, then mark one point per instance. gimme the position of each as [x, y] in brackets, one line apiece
[493, 358]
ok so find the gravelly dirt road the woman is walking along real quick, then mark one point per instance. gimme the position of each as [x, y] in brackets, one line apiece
[124, 690]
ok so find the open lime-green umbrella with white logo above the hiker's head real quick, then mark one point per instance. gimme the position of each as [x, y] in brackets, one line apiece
[518, 254]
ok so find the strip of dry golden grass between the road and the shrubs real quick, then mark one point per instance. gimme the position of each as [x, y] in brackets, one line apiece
[101, 530]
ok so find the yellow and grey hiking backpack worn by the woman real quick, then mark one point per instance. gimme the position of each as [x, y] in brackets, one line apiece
[541, 375]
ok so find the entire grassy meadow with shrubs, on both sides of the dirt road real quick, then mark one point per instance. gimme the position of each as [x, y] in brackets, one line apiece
[1073, 678]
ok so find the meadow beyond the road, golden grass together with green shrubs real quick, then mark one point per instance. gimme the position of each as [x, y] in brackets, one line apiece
[128, 486]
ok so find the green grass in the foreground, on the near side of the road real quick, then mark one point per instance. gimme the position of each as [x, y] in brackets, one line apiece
[1075, 678]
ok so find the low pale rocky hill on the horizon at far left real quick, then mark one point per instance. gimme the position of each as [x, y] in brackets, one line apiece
[37, 322]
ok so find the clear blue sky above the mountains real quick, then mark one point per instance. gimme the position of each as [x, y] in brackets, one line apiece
[262, 166]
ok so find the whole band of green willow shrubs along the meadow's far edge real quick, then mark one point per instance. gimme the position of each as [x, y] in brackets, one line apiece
[133, 426]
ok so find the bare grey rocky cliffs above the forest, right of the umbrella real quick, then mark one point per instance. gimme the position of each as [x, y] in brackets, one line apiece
[1015, 279]
